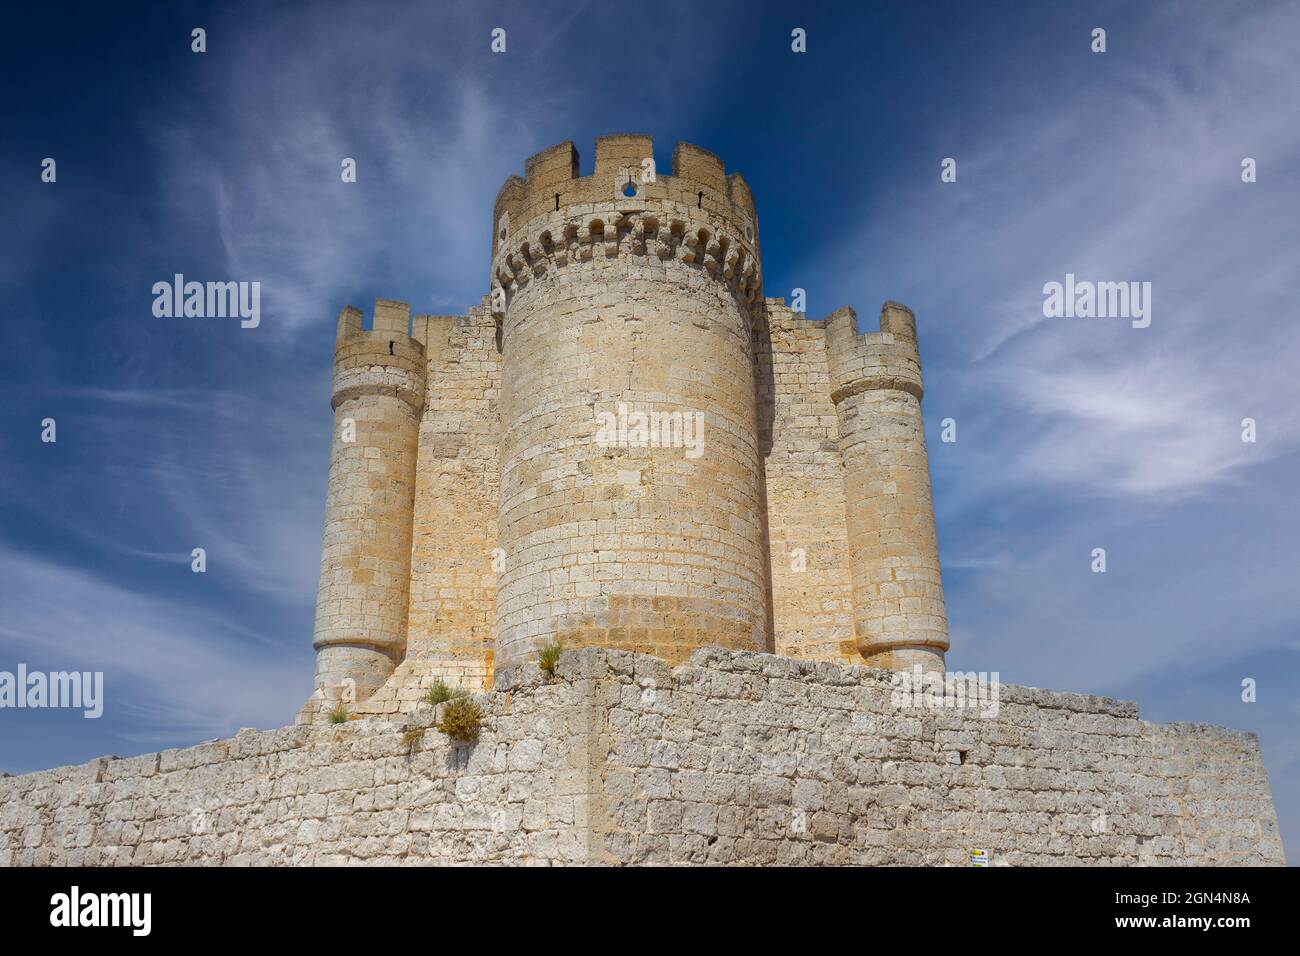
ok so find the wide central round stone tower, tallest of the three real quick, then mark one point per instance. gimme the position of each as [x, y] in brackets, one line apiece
[631, 479]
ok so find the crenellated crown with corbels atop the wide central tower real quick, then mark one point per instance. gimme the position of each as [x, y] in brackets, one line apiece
[697, 215]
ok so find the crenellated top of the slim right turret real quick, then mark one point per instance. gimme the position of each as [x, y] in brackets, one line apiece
[885, 360]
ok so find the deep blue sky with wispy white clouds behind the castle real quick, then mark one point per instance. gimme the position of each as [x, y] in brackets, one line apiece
[1072, 435]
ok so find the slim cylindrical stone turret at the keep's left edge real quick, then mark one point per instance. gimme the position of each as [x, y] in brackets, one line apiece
[366, 557]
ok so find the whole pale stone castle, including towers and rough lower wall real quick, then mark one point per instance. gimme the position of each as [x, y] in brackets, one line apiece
[734, 595]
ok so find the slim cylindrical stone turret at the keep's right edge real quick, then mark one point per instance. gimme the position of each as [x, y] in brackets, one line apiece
[894, 552]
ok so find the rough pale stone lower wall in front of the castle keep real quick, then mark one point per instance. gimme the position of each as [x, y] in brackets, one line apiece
[734, 758]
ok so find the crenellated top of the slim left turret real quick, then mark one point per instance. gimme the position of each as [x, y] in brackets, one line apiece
[384, 360]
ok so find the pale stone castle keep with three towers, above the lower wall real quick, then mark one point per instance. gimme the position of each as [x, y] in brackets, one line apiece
[762, 482]
